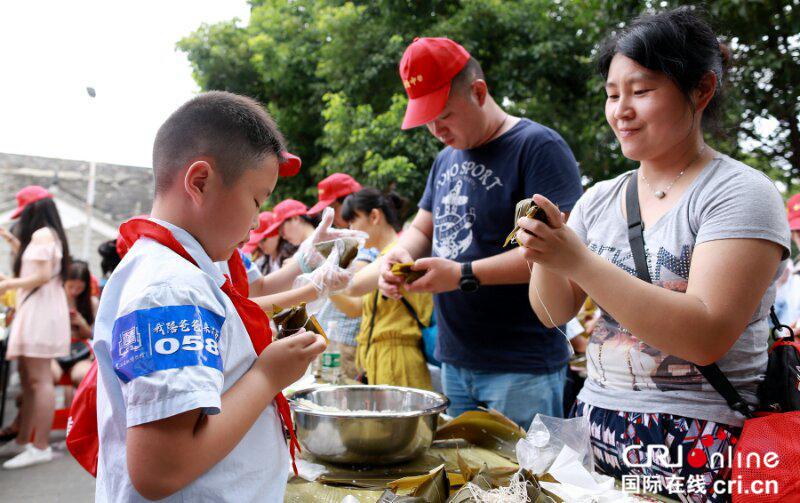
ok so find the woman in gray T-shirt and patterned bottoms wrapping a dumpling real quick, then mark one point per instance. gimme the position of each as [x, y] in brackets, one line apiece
[715, 239]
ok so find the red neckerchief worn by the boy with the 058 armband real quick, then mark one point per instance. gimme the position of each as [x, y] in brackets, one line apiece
[254, 318]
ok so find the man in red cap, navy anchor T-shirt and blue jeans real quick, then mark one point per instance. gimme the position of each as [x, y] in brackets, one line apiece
[495, 352]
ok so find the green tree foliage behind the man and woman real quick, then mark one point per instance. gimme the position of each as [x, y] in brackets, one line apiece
[327, 70]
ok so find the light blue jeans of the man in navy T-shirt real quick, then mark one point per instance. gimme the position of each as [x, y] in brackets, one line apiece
[518, 396]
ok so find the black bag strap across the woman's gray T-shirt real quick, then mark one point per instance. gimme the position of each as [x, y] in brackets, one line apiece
[712, 372]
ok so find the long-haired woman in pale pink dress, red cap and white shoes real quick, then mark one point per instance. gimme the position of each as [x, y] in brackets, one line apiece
[40, 331]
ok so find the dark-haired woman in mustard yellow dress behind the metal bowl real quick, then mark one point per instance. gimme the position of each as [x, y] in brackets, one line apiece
[389, 339]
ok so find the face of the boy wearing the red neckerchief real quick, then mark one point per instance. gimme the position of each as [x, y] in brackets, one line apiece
[230, 212]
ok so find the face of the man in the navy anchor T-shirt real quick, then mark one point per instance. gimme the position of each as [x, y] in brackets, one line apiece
[459, 124]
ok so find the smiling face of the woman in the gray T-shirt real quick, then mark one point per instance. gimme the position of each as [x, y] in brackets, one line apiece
[647, 112]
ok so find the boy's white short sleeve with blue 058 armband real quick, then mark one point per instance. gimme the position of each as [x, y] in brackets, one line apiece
[165, 349]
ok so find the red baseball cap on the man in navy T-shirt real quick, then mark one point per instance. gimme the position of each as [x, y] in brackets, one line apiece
[427, 69]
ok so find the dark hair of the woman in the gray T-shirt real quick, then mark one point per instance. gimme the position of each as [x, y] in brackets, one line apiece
[678, 43]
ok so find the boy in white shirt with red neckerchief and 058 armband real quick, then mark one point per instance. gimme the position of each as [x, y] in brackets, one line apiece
[188, 398]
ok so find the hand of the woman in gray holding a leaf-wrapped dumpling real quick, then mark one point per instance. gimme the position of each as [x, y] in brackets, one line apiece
[555, 247]
